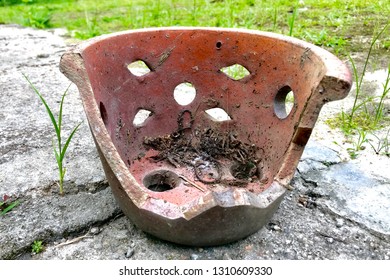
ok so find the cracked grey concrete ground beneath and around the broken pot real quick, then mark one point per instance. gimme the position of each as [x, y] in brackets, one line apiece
[338, 209]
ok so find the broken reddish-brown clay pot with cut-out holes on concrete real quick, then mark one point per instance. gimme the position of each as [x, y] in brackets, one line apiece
[200, 130]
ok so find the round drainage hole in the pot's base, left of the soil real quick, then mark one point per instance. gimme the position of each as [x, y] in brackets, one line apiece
[161, 181]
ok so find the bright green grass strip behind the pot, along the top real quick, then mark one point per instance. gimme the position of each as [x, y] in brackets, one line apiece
[331, 24]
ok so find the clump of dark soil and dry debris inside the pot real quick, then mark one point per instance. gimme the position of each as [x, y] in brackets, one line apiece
[207, 151]
